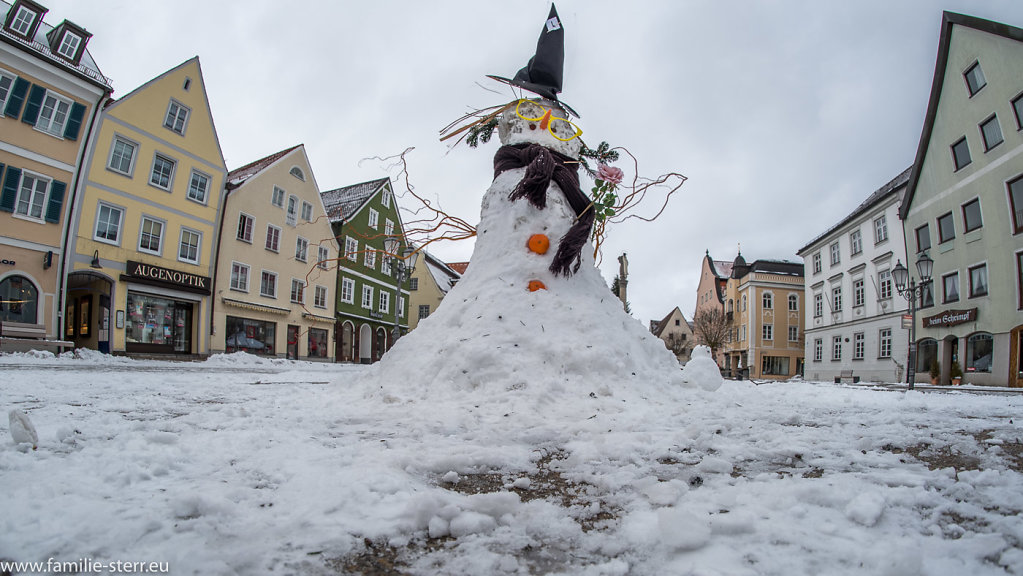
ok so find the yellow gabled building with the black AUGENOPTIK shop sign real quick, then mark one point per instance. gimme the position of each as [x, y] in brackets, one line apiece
[145, 232]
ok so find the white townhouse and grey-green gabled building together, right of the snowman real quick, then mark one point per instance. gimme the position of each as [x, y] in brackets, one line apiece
[960, 209]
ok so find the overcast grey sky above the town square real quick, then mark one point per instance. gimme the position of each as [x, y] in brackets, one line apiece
[784, 115]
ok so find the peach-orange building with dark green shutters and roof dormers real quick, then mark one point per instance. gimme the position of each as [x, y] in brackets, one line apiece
[51, 90]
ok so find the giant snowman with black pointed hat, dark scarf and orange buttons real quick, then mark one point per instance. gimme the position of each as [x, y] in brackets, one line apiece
[532, 312]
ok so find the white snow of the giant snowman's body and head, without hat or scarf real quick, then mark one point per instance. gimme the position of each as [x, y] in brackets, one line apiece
[492, 331]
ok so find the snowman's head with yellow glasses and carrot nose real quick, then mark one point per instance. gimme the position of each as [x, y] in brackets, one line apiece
[543, 122]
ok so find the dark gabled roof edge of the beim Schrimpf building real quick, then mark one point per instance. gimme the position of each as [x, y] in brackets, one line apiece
[949, 21]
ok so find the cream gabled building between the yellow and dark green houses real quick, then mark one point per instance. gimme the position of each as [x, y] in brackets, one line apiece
[277, 263]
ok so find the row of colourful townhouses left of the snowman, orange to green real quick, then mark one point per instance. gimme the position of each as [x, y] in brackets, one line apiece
[123, 231]
